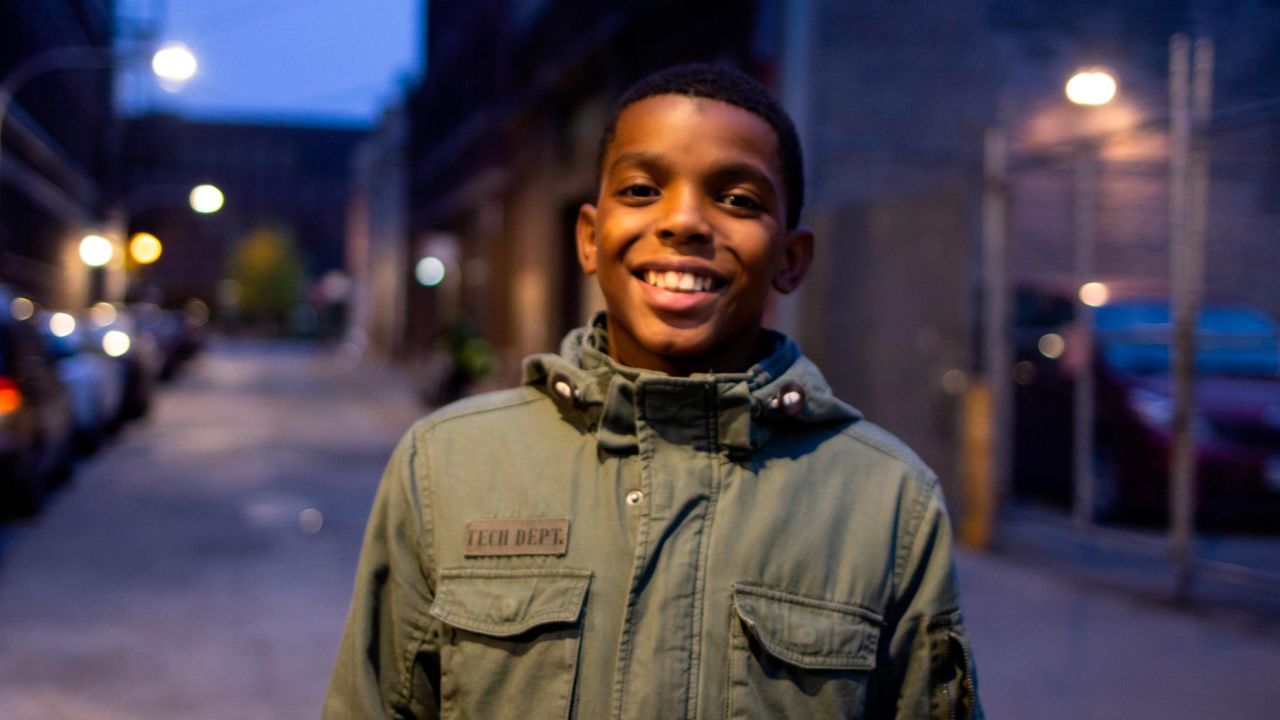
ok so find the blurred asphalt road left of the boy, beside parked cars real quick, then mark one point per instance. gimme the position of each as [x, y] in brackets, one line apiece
[200, 567]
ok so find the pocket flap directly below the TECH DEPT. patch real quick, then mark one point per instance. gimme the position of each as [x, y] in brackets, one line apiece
[509, 603]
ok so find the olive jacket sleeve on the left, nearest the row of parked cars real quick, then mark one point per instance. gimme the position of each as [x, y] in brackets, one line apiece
[388, 662]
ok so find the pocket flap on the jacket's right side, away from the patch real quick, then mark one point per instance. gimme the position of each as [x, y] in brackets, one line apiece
[816, 635]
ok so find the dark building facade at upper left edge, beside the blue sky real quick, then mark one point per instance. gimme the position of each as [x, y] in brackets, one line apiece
[57, 143]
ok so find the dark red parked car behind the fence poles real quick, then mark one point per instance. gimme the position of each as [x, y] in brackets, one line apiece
[1237, 426]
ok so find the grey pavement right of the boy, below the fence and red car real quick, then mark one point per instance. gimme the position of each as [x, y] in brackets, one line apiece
[1064, 628]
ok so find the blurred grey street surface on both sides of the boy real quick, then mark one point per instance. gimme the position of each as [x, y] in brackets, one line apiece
[202, 566]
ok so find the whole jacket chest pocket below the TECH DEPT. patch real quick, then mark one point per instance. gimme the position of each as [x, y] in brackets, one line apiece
[511, 641]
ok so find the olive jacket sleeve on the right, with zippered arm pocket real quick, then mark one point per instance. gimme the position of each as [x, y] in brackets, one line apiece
[926, 667]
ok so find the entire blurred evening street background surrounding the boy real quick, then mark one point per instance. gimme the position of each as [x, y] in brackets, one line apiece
[244, 245]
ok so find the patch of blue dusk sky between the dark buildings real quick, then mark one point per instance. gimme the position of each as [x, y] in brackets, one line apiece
[298, 61]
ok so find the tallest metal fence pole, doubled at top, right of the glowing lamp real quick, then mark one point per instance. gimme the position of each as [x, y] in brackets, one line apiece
[1191, 97]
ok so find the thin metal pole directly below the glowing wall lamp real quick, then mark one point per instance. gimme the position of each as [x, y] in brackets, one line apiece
[1086, 200]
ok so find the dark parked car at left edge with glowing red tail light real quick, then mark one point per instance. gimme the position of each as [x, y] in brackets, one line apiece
[36, 422]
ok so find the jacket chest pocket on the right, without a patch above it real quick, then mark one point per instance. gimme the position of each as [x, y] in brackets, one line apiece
[794, 657]
